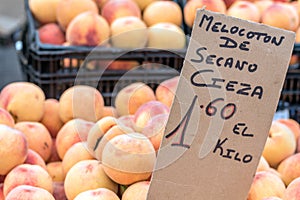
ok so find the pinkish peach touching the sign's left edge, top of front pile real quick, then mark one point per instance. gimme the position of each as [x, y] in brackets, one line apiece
[166, 90]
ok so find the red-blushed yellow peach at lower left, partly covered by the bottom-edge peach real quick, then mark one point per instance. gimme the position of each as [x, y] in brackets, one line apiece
[26, 174]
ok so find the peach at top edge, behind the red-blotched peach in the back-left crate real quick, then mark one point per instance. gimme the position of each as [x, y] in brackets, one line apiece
[67, 10]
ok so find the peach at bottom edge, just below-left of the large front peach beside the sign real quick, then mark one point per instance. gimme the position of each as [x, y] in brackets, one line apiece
[87, 175]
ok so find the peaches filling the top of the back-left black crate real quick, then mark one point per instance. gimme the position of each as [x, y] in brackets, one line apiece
[117, 23]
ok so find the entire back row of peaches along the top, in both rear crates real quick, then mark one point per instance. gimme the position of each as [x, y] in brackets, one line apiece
[140, 23]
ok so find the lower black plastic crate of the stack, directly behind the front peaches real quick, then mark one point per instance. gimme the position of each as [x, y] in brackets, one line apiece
[108, 82]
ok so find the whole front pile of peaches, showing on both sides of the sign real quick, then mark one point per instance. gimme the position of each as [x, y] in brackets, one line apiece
[111, 155]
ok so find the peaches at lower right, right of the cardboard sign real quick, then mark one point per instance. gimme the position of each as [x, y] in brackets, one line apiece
[278, 172]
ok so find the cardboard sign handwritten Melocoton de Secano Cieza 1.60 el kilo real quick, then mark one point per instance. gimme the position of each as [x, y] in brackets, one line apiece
[227, 95]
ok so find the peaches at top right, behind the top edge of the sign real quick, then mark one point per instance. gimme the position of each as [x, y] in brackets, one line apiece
[282, 14]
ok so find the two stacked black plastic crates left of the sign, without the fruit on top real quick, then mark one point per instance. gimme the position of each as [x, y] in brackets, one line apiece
[47, 71]
